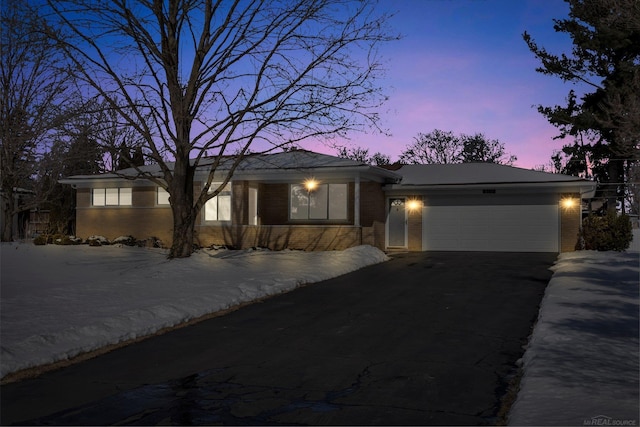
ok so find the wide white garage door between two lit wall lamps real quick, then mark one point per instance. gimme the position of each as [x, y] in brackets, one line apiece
[513, 228]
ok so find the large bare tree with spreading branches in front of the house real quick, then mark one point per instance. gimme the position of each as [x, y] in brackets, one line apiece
[202, 77]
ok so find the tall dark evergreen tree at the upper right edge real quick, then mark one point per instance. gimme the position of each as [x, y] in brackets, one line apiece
[605, 59]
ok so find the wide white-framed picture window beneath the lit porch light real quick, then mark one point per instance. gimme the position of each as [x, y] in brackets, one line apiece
[332, 212]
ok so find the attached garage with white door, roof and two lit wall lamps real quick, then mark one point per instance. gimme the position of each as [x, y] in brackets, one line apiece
[484, 207]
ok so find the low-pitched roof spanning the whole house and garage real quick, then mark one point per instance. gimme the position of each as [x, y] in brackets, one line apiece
[300, 164]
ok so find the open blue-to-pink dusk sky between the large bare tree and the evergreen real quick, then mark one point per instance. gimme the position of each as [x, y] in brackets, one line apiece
[462, 66]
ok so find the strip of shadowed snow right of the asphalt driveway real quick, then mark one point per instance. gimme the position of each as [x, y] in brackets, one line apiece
[581, 366]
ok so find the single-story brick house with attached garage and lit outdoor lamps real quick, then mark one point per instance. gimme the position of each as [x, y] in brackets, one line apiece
[311, 201]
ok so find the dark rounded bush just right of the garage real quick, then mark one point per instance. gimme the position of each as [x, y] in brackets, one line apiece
[611, 232]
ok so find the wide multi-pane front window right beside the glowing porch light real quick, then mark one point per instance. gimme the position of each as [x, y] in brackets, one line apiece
[326, 201]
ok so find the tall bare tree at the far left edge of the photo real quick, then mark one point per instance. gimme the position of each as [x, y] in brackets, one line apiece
[35, 92]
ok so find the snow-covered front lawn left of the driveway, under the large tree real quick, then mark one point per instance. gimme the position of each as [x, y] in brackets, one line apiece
[60, 301]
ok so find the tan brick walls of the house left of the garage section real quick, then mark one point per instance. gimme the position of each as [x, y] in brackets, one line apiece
[144, 219]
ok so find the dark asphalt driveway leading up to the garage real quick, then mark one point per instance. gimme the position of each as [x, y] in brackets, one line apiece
[426, 338]
